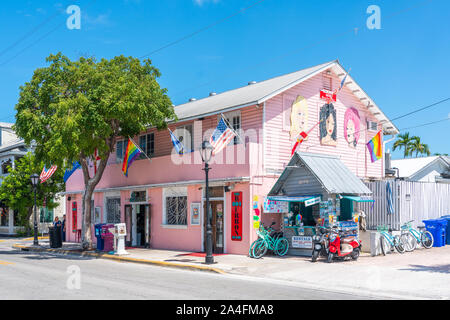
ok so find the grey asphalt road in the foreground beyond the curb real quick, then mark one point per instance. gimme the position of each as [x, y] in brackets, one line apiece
[45, 276]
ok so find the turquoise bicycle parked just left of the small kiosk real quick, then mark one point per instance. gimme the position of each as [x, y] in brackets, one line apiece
[277, 243]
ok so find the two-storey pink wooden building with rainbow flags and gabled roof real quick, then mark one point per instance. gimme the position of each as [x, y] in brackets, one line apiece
[162, 200]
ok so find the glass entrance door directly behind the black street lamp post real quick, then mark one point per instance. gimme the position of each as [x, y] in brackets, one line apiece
[217, 224]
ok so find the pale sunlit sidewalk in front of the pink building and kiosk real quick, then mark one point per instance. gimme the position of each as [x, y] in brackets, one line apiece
[422, 274]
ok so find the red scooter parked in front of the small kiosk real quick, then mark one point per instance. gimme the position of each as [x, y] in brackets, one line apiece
[342, 246]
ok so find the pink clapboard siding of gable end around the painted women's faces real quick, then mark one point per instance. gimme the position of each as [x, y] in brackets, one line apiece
[279, 142]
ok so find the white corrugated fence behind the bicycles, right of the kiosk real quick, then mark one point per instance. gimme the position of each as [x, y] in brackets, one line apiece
[411, 201]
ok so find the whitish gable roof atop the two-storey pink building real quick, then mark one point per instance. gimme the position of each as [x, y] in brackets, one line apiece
[262, 91]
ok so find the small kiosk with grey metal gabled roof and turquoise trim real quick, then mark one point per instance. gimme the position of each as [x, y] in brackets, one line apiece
[315, 190]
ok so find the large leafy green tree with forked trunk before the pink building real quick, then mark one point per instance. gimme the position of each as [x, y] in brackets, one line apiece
[72, 108]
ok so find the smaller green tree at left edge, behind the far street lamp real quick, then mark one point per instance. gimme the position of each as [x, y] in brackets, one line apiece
[17, 192]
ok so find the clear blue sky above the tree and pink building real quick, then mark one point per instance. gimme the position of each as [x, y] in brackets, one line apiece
[403, 66]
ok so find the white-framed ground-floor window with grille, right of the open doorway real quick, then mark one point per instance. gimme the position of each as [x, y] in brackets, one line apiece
[175, 206]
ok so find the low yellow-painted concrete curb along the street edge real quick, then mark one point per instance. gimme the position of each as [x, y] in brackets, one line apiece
[121, 258]
